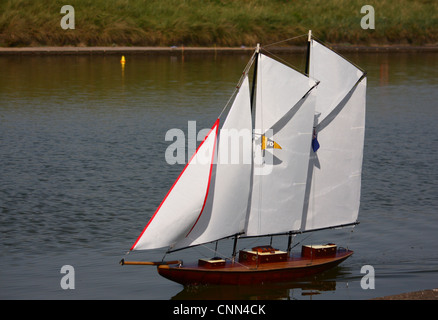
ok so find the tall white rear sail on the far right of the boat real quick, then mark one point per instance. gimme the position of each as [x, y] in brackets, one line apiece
[334, 176]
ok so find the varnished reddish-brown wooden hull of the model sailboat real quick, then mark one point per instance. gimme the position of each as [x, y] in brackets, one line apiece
[242, 273]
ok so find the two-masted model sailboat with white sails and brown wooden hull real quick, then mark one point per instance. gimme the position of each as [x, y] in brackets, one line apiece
[296, 168]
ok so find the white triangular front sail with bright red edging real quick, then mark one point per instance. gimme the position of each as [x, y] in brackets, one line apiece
[184, 203]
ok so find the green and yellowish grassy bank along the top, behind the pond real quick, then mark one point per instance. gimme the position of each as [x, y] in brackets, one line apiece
[214, 22]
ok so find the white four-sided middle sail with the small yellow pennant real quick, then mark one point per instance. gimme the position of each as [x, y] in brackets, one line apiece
[285, 109]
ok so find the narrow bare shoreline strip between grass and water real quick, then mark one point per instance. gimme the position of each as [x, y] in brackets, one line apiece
[231, 50]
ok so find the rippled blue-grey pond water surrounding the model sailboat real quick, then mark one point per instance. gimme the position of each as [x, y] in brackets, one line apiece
[82, 169]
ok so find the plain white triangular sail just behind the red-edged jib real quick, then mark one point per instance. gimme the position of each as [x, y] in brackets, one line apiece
[226, 207]
